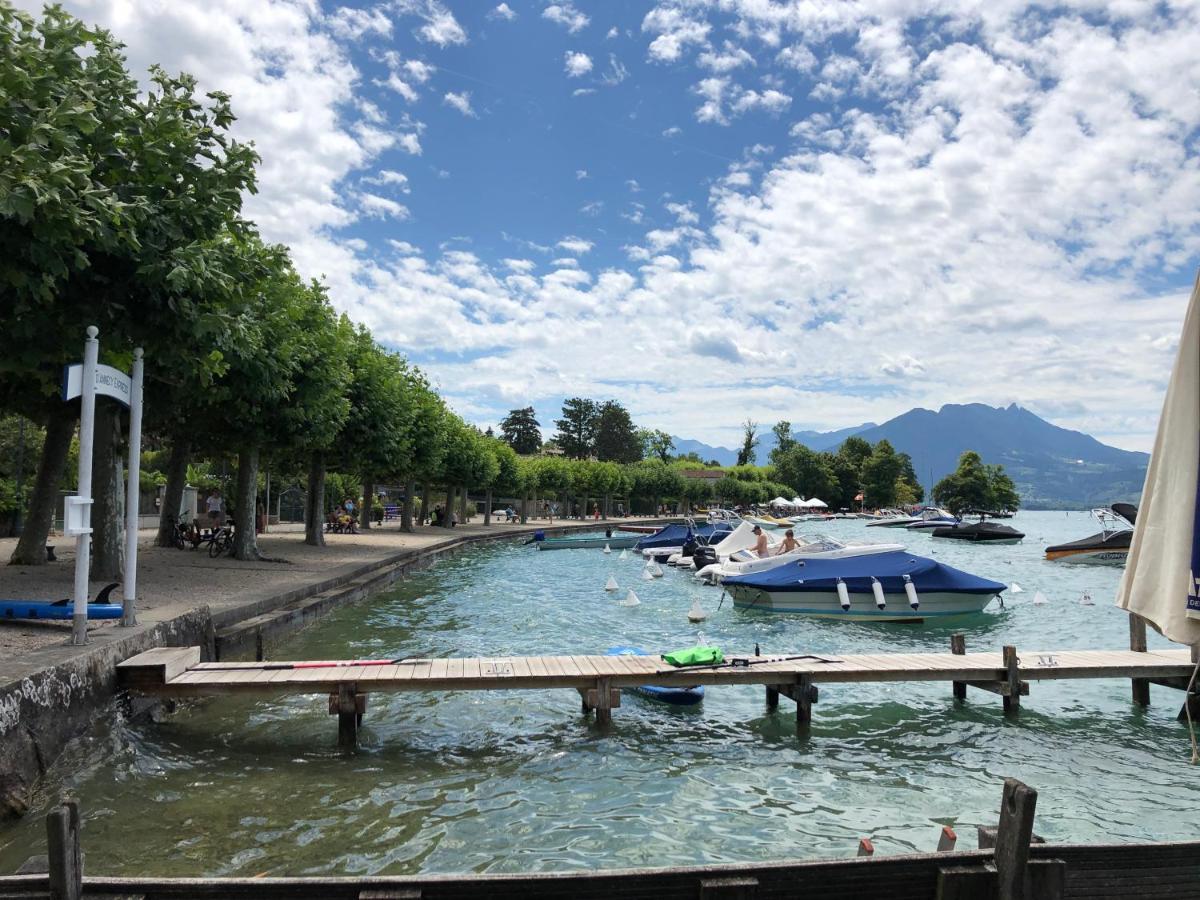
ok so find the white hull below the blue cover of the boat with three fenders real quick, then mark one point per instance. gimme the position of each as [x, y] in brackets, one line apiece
[826, 605]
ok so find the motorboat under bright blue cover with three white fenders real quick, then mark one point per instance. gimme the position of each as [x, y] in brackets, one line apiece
[879, 587]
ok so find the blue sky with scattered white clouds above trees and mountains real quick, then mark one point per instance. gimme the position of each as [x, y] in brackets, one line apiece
[827, 213]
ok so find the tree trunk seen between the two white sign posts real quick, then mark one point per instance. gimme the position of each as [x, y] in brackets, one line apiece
[107, 512]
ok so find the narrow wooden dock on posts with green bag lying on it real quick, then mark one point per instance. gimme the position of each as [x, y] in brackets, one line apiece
[178, 673]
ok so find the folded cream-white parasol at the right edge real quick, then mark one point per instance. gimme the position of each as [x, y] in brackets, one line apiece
[1161, 579]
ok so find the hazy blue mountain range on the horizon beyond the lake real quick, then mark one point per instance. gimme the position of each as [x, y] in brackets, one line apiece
[1052, 467]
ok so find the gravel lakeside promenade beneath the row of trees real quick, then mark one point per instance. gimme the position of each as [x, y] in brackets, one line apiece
[173, 581]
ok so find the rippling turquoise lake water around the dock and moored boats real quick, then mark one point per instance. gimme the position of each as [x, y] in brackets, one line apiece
[521, 782]
